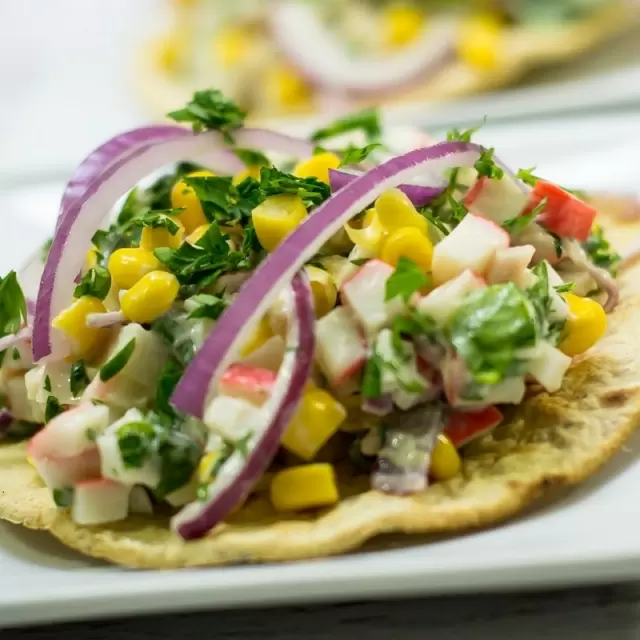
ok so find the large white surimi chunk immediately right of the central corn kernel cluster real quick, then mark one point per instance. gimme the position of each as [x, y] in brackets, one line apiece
[471, 245]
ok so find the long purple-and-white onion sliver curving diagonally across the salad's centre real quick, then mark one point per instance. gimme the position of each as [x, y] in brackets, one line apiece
[259, 292]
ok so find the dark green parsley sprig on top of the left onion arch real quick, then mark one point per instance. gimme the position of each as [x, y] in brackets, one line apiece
[211, 110]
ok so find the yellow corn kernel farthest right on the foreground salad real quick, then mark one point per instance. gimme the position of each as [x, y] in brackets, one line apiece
[586, 324]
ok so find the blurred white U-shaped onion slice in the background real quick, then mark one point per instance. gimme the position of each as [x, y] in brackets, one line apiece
[321, 57]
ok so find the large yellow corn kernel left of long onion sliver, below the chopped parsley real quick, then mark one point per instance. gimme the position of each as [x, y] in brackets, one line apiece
[276, 217]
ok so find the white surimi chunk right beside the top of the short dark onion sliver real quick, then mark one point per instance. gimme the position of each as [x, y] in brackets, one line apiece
[340, 349]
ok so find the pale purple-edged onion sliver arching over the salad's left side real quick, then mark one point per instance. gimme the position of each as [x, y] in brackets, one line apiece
[86, 215]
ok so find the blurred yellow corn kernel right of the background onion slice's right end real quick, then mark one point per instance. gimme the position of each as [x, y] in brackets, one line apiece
[480, 42]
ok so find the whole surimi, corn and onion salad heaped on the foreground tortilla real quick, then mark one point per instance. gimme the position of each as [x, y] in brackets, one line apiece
[225, 311]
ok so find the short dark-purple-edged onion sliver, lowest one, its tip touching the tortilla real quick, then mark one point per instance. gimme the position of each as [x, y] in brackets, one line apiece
[239, 474]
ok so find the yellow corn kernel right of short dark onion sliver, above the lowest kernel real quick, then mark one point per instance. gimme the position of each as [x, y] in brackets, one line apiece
[316, 420]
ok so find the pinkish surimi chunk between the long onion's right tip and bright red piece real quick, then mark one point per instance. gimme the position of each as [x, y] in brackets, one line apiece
[496, 200]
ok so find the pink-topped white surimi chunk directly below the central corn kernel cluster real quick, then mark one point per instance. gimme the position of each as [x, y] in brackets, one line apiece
[365, 295]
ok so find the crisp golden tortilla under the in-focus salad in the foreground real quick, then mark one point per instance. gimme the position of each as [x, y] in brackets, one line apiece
[552, 441]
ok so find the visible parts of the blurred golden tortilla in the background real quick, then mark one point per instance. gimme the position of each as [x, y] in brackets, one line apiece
[525, 49]
